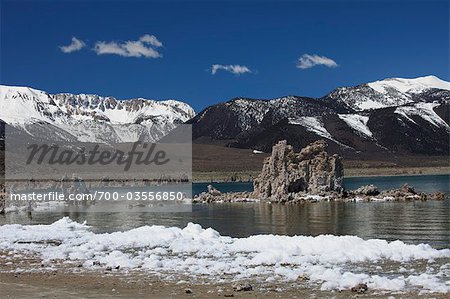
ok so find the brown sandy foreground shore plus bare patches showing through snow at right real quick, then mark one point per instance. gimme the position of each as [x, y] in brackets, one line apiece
[37, 278]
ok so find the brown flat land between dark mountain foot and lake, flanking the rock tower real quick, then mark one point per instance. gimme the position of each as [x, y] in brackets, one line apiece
[221, 163]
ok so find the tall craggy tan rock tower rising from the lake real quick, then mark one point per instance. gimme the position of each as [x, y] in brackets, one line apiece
[311, 171]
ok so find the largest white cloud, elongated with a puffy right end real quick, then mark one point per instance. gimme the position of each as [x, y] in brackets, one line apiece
[144, 47]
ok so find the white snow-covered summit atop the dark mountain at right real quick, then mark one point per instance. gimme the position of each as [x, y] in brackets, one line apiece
[388, 92]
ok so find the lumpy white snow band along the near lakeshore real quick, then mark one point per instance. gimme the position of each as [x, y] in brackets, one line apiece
[329, 262]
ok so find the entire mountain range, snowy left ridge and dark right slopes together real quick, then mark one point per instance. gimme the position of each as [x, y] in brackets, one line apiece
[400, 116]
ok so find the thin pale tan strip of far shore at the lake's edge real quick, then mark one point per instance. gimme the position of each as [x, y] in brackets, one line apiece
[248, 176]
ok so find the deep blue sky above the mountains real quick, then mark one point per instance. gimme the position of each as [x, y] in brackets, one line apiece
[349, 42]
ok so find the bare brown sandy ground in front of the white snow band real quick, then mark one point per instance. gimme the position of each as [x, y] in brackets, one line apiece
[28, 277]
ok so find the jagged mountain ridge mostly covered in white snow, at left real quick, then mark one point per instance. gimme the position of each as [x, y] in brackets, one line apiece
[90, 118]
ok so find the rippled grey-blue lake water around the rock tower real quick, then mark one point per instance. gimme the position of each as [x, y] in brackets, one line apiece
[411, 222]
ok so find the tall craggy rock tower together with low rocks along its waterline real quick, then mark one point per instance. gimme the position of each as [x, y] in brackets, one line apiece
[309, 176]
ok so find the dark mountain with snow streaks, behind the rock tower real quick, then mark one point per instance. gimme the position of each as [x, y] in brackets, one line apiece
[387, 116]
